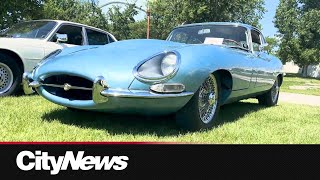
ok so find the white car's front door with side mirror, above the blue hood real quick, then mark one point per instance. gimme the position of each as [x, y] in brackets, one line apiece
[75, 36]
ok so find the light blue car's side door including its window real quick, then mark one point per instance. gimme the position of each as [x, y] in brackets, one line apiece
[263, 66]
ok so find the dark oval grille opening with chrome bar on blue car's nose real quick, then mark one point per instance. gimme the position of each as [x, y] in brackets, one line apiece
[71, 94]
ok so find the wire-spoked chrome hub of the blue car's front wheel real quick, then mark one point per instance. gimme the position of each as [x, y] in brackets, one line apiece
[208, 99]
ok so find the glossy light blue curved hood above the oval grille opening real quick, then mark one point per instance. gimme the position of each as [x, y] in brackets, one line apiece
[114, 61]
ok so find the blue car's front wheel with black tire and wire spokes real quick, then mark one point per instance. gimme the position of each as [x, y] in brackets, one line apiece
[189, 117]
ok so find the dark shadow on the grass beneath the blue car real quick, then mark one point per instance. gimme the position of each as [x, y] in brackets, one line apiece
[134, 124]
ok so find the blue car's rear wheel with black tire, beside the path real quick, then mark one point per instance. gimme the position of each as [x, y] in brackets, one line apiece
[270, 98]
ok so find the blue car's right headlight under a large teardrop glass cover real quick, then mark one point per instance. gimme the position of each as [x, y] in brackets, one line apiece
[159, 67]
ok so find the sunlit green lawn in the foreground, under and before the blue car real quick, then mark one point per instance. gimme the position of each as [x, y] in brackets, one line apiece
[32, 118]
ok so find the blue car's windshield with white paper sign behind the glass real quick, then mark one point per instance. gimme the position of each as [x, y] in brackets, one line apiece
[228, 35]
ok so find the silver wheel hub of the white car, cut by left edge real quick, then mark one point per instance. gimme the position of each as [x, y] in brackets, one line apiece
[6, 78]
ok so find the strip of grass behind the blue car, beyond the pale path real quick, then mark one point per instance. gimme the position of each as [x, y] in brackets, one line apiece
[294, 80]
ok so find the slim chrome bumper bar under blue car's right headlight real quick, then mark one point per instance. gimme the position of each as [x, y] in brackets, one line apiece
[141, 94]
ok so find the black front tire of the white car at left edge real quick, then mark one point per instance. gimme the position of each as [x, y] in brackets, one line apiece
[8, 63]
